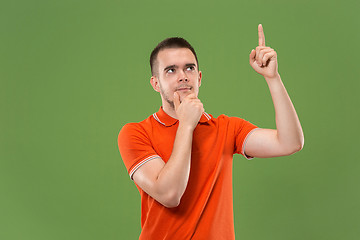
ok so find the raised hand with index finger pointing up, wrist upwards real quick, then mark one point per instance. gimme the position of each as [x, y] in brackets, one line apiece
[264, 59]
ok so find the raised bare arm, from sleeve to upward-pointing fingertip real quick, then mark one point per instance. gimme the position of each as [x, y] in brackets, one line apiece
[288, 137]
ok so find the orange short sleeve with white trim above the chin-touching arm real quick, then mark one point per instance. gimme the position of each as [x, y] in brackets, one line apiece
[135, 147]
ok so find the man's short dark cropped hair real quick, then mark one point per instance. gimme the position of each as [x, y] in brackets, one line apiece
[173, 42]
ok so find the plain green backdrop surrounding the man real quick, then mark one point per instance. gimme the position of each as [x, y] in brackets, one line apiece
[74, 72]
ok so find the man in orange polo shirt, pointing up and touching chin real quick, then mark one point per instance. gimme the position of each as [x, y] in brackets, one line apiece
[180, 158]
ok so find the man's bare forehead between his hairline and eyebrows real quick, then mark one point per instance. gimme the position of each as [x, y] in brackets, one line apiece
[175, 56]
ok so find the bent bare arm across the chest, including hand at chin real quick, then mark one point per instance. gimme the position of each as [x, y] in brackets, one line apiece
[166, 182]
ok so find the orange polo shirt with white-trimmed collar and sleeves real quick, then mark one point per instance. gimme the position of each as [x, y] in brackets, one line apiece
[206, 208]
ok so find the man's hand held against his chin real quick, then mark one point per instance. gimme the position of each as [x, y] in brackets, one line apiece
[189, 110]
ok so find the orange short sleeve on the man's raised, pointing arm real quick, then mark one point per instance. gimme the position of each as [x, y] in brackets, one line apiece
[243, 129]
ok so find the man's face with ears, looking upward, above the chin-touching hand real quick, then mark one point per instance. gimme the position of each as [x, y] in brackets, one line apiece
[177, 71]
